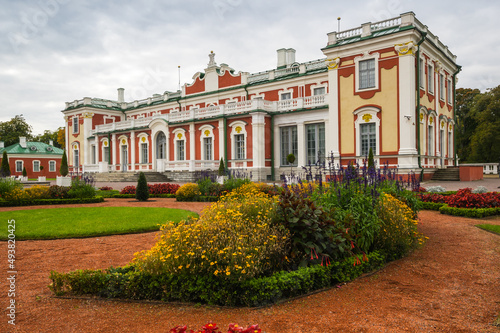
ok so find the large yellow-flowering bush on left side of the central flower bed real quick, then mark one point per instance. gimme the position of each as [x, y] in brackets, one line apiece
[232, 239]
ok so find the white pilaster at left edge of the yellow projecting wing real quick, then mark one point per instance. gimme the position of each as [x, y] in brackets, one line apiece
[332, 130]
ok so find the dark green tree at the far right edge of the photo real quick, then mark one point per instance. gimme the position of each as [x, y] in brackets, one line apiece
[485, 141]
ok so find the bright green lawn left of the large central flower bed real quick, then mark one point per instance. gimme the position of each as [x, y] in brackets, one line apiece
[87, 221]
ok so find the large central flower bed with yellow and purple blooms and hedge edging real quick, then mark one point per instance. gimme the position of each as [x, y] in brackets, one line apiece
[253, 247]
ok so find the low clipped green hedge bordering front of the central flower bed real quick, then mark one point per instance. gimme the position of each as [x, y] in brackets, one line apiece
[126, 283]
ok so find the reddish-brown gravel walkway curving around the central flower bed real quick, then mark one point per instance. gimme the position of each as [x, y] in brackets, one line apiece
[450, 285]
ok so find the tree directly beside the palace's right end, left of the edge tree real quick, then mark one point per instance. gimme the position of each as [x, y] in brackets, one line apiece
[466, 122]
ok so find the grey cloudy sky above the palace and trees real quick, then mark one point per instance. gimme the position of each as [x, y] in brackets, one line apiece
[56, 51]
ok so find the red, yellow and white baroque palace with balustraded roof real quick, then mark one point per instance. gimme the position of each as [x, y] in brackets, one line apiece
[388, 86]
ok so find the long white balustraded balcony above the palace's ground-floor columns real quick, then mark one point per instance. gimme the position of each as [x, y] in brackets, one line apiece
[217, 111]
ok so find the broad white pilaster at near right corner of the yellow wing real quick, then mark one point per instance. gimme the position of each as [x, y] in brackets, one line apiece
[407, 103]
